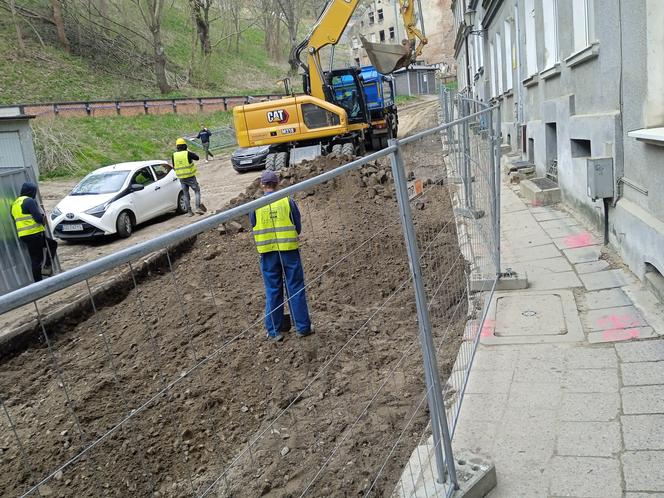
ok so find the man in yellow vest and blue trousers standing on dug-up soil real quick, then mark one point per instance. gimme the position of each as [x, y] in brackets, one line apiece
[276, 228]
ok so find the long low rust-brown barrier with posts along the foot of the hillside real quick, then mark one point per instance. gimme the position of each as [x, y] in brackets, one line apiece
[101, 108]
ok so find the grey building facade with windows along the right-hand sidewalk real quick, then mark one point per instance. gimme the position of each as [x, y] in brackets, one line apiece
[578, 79]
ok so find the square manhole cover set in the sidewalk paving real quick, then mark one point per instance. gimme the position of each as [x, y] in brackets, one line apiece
[535, 315]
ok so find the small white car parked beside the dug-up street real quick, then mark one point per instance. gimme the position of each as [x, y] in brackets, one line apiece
[114, 199]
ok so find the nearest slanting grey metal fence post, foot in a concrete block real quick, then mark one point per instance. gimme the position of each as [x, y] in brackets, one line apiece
[432, 379]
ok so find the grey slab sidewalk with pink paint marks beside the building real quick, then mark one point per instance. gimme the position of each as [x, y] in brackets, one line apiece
[567, 391]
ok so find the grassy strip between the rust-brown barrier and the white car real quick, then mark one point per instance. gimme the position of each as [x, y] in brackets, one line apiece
[72, 147]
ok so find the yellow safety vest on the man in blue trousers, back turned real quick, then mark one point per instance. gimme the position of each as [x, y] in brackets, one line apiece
[274, 230]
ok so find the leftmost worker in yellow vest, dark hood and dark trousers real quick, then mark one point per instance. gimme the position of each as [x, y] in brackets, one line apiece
[30, 221]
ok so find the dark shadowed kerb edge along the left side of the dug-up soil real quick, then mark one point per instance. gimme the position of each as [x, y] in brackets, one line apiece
[113, 290]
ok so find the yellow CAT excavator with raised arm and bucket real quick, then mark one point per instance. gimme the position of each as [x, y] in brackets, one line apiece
[332, 116]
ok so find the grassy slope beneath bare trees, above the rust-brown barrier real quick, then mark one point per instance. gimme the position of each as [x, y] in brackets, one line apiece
[112, 66]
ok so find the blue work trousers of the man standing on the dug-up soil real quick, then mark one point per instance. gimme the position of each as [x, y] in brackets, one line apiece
[274, 265]
